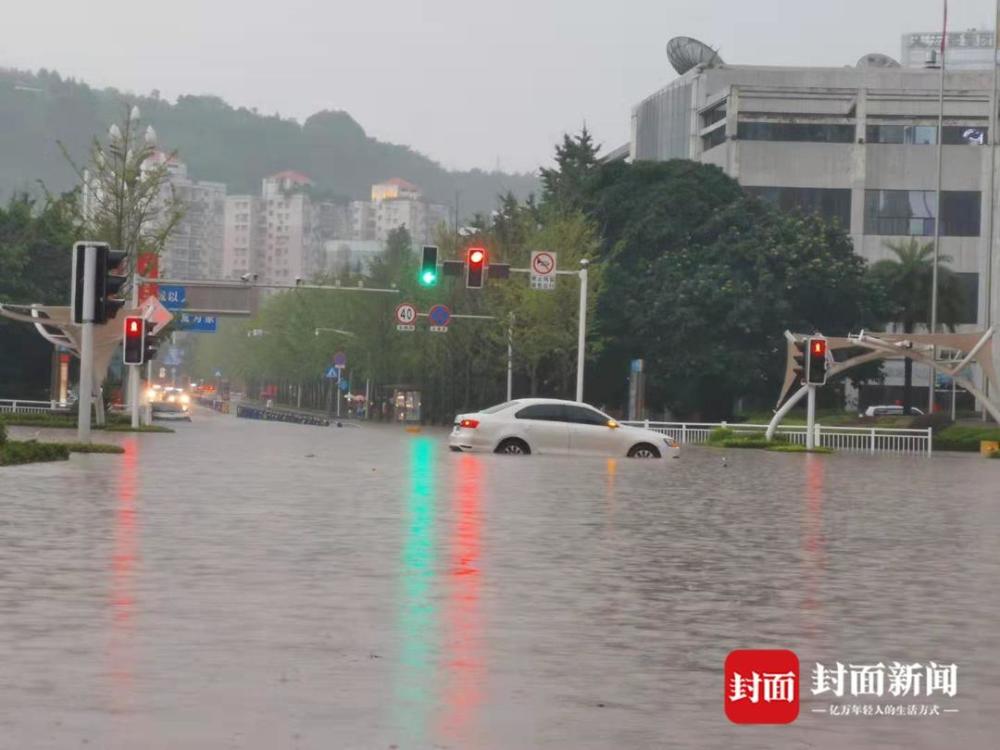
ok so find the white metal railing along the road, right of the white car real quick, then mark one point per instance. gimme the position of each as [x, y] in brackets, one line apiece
[868, 439]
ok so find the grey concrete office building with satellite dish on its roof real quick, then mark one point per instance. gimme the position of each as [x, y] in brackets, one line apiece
[856, 144]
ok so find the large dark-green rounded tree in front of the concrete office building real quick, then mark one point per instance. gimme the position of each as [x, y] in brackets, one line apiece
[701, 281]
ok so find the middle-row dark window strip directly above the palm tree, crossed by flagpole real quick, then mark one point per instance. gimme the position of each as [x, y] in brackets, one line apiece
[911, 212]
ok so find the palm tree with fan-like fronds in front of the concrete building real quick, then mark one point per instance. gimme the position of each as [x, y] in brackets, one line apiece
[907, 279]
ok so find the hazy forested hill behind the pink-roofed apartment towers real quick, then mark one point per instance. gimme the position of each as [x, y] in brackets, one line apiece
[219, 143]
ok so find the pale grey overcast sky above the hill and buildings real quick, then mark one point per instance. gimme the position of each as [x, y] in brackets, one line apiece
[467, 82]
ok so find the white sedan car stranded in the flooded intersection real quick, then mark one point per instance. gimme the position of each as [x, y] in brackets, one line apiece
[546, 425]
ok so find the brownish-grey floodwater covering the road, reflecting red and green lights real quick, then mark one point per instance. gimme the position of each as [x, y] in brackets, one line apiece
[259, 585]
